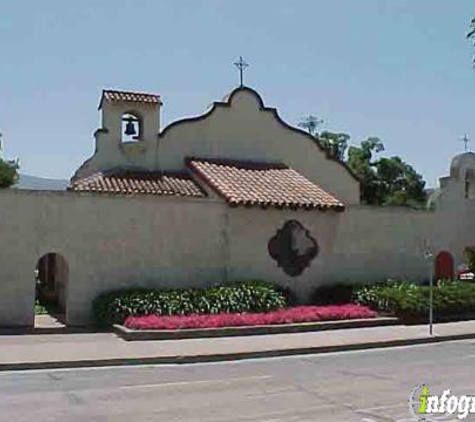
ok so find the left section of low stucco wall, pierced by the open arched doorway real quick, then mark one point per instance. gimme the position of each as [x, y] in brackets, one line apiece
[108, 242]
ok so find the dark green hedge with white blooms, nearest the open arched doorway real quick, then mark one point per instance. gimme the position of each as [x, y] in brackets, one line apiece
[115, 306]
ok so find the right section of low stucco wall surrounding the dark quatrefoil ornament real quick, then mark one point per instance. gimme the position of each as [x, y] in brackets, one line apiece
[362, 244]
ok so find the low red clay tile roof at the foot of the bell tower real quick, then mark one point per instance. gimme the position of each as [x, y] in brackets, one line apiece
[137, 182]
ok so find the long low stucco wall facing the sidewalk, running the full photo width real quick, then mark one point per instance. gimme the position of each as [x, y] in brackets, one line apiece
[112, 242]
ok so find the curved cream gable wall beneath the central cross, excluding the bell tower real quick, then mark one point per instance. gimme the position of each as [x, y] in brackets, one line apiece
[243, 128]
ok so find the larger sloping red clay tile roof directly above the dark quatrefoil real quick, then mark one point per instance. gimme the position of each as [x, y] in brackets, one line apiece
[276, 185]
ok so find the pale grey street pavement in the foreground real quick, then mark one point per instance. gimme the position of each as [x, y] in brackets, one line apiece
[364, 386]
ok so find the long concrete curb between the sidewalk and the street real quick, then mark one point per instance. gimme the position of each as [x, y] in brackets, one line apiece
[189, 359]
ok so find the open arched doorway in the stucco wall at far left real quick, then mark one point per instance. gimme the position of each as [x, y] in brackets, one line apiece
[51, 276]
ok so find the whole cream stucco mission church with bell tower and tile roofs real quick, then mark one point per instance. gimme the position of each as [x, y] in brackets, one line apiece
[233, 194]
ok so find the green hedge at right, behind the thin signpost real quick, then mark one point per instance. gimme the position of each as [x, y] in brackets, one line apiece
[411, 301]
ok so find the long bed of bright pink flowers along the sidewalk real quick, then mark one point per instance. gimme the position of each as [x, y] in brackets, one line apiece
[280, 316]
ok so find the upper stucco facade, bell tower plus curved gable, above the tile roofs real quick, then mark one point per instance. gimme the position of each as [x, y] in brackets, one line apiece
[239, 128]
